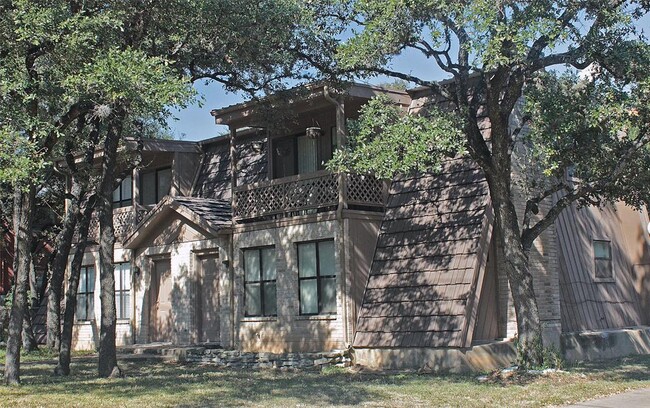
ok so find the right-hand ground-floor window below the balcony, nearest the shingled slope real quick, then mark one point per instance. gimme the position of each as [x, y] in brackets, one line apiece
[317, 277]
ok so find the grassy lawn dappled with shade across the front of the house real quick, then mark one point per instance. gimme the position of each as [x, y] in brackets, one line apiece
[166, 384]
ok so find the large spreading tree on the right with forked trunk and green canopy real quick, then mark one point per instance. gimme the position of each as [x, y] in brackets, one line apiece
[493, 52]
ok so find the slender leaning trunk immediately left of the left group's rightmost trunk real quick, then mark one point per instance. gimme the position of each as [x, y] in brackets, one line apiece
[63, 365]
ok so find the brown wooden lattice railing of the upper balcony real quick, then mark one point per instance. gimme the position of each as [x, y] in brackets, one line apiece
[307, 193]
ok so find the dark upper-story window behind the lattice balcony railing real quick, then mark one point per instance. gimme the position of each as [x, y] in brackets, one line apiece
[300, 154]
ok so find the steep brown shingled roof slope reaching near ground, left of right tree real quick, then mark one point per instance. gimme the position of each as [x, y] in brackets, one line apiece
[428, 267]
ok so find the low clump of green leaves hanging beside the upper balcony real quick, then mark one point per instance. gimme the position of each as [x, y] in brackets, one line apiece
[385, 141]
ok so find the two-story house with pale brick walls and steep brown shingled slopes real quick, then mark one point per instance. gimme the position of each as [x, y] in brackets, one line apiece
[246, 241]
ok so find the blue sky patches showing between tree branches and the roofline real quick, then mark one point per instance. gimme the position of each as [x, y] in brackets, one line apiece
[196, 123]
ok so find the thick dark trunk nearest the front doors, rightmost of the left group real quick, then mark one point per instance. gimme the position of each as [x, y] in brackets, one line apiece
[107, 350]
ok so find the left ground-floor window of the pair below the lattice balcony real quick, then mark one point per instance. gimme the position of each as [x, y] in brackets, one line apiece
[259, 282]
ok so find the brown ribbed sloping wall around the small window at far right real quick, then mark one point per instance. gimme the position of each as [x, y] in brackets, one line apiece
[591, 304]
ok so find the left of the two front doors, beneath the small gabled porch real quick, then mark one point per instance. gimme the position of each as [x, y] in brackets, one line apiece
[160, 301]
